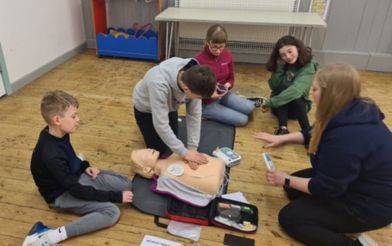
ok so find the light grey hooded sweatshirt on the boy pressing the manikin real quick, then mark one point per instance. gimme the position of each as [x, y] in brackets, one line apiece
[158, 93]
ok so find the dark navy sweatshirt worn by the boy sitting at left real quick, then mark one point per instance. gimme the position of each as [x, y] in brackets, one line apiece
[56, 169]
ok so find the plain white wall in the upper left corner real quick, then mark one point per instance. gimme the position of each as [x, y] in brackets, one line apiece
[34, 33]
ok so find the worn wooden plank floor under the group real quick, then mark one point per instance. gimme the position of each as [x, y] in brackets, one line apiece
[108, 134]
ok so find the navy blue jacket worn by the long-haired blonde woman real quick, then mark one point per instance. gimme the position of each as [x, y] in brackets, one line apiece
[353, 162]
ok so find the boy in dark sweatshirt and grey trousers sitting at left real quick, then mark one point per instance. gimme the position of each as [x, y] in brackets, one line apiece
[68, 183]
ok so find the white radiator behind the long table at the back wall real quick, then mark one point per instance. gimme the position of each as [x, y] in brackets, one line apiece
[244, 39]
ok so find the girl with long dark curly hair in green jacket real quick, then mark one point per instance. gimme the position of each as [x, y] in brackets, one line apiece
[292, 74]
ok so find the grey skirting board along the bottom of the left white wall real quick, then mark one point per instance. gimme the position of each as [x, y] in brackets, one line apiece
[16, 85]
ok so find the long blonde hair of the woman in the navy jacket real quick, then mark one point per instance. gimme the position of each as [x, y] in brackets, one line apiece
[339, 85]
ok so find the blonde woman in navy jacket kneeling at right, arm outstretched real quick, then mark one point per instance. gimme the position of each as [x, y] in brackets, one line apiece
[349, 187]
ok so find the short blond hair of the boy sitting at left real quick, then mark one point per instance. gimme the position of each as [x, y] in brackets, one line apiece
[56, 103]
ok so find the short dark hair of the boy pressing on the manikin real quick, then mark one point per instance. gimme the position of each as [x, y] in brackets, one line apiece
[200, 80]
